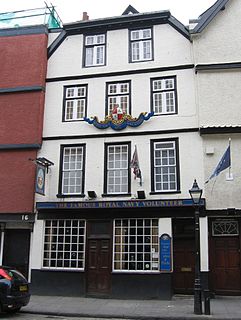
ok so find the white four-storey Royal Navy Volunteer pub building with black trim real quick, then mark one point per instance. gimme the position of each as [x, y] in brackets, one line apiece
[118, 88]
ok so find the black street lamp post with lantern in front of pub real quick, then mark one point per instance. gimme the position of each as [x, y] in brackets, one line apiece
[196, 194]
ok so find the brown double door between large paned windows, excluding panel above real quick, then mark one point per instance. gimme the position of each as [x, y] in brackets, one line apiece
[99, 267]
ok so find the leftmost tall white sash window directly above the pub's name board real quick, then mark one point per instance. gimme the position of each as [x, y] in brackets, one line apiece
[72, 174]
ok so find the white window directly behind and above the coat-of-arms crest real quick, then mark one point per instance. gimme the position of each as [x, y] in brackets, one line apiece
[119, 95]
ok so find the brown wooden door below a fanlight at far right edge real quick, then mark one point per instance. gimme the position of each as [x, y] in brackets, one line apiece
[225, 265]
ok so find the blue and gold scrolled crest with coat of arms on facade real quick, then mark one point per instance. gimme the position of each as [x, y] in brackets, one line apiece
[119, 120]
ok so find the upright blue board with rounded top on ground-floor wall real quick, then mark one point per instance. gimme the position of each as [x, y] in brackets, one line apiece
[165, 253]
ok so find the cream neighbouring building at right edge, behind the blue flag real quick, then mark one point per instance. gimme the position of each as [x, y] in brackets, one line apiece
[217, 58]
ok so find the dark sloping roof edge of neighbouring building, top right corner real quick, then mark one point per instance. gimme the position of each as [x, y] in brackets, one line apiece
[207, 16]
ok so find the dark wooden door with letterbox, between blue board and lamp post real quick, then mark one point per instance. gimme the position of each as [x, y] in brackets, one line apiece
[184, 265]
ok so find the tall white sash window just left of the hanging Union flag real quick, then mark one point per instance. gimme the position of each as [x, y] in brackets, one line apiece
[117, 169]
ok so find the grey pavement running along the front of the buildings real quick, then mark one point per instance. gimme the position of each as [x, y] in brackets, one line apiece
[179, 307]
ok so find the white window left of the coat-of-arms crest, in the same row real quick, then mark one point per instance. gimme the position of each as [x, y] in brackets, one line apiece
[75, 102]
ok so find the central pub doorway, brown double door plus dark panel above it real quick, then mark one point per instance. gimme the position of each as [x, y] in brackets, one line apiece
[99, 259]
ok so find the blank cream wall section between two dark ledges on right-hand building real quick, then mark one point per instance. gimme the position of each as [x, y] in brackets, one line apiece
[219, 98]
